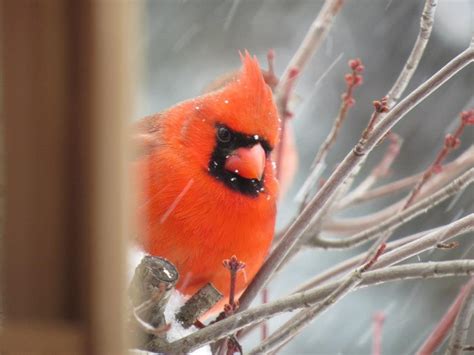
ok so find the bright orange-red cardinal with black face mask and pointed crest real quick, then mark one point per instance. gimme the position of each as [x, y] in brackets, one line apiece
[208, 187]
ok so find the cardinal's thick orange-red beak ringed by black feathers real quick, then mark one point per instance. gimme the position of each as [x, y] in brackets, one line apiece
[248, 162]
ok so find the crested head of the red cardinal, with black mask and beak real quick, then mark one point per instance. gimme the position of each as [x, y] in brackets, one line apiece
[234, 130]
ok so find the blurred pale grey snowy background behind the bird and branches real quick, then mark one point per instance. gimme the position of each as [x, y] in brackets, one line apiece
[186, 44]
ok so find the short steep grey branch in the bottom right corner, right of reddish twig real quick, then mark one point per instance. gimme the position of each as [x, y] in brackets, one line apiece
[461, 324]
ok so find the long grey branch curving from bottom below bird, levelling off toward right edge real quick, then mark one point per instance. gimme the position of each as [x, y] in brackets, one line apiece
[305, 299]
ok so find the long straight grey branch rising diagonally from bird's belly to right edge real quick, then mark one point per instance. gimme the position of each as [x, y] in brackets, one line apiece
[350, 162]
